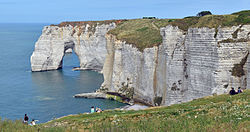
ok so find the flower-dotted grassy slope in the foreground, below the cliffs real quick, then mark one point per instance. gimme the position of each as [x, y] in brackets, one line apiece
[217, 113]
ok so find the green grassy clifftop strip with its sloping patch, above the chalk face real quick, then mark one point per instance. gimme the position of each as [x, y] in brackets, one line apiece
[144, 33]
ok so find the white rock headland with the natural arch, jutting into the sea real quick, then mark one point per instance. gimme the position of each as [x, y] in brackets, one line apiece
[87, 41]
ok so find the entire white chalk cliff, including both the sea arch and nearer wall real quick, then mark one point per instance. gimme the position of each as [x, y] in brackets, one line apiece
[186, 66]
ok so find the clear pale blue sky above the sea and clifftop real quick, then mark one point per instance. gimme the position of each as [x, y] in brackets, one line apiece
[56, 11]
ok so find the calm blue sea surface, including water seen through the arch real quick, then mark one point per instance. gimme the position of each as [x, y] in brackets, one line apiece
[42, 95]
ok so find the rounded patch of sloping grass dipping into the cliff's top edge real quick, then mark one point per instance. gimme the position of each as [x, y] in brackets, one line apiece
[139, 32]
